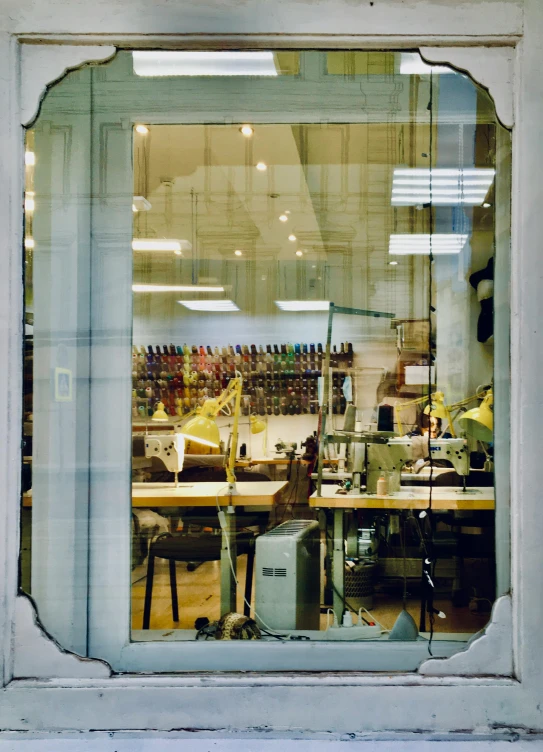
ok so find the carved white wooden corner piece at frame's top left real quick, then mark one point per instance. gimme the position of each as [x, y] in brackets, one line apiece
[43, 65]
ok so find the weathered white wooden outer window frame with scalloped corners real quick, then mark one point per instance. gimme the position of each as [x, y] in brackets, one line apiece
[492, 685]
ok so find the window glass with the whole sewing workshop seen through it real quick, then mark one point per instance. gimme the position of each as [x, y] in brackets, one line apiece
[280, 326]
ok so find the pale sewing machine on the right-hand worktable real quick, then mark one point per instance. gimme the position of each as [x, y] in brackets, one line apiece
[388, 458]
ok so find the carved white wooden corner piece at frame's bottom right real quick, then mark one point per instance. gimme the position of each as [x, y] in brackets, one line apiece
[489, 653]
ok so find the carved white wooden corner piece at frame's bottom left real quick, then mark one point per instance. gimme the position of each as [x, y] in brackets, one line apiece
[36, 654]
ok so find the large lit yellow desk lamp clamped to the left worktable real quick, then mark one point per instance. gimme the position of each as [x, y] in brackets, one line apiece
[203, 429]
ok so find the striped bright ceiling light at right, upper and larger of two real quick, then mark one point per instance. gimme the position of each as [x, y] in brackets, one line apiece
[446, 186]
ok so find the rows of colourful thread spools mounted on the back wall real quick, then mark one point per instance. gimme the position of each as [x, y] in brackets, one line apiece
[277, 379]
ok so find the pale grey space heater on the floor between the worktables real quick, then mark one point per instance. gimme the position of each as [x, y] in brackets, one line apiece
[288, 576]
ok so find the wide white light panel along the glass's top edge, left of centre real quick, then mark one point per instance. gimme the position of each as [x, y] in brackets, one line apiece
[197, 63]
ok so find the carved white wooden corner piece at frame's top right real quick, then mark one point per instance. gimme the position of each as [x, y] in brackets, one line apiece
[492, 67]
